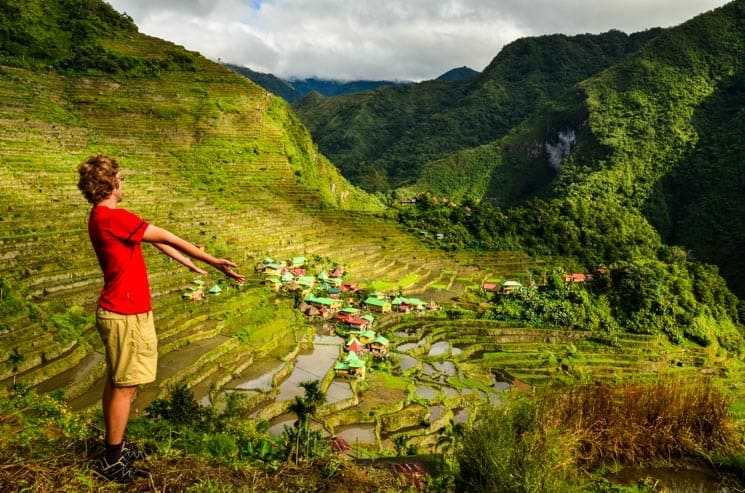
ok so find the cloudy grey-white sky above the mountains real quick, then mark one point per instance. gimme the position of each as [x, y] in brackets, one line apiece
[406, 40]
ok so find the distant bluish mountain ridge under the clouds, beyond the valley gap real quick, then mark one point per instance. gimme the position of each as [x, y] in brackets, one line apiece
[293, 89]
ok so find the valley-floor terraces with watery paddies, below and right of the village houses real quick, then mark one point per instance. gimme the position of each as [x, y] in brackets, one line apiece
[442, 370]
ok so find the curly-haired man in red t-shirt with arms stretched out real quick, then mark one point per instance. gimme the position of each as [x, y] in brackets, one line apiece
[124, 317]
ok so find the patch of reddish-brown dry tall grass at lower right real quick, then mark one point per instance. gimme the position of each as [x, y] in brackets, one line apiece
[635, 422]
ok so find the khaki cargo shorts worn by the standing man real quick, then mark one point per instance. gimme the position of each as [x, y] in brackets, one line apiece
[131, 346]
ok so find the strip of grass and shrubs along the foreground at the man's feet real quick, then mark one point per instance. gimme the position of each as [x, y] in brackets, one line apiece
[561, 439]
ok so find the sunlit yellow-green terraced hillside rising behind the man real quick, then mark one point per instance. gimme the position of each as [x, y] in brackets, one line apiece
[209, 156]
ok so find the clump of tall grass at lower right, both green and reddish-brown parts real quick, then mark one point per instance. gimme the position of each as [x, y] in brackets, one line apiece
[540, 442]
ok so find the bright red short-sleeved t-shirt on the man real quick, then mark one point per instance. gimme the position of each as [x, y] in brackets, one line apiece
[116, 235]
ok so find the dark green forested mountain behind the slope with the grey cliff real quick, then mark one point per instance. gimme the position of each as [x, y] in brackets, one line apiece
[380, 140]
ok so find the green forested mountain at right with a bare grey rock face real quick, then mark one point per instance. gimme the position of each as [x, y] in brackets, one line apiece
[658, 132]
